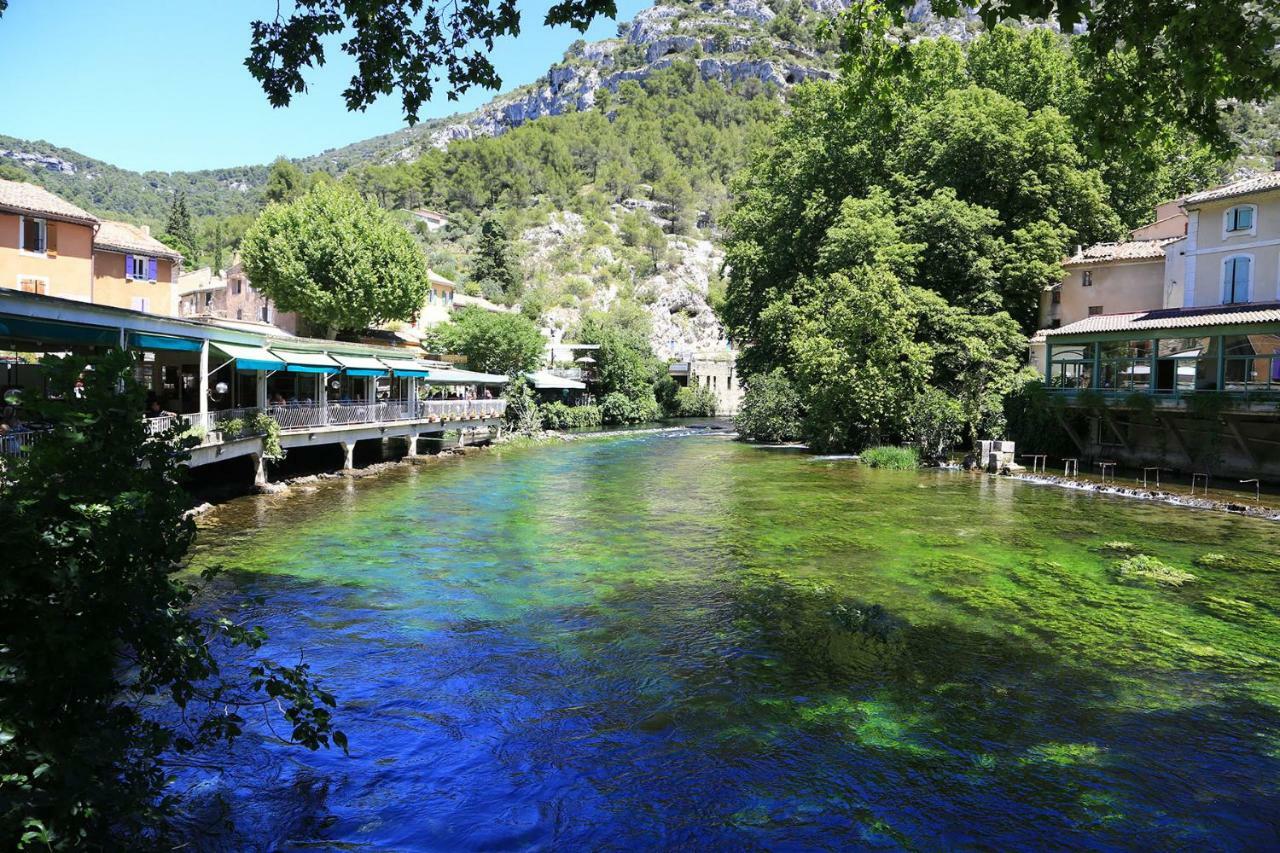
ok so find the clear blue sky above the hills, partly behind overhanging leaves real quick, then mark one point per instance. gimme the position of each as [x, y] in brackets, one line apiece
[162, 84]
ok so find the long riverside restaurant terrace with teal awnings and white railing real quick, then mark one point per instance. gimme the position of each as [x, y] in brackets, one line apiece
[211, 375]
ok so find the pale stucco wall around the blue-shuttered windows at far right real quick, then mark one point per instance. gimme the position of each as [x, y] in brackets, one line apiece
[1209, 248]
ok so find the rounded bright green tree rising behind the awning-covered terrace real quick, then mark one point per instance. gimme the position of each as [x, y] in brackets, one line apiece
[336, 259]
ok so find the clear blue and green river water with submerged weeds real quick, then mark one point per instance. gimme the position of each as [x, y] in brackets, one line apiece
[674, 640]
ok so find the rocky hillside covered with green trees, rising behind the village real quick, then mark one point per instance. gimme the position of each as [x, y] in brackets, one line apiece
[605, 185]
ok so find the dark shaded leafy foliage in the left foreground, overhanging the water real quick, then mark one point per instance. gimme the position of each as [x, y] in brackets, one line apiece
[107, 673]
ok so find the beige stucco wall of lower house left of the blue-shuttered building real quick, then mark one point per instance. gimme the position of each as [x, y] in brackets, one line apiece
[1118, 288]
